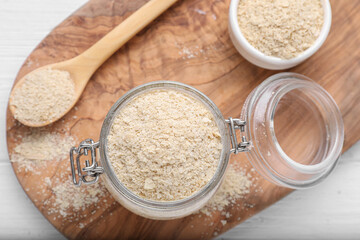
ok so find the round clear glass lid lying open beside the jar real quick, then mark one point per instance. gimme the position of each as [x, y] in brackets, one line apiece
[295, 130]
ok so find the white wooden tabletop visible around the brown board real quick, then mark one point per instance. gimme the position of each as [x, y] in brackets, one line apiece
[331, 210]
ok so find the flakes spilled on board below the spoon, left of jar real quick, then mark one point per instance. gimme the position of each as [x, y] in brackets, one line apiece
[57, 196]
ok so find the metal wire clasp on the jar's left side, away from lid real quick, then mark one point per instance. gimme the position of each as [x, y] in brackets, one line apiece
[90, 173]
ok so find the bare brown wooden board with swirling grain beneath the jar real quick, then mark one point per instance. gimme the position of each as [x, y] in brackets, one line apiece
[214, 67]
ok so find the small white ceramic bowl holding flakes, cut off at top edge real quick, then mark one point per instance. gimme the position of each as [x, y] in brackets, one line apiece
[258, 58]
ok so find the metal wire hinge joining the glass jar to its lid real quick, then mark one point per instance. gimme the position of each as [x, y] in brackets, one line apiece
[234, 124]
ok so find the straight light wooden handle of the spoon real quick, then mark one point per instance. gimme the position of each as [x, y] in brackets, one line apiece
[97, 54]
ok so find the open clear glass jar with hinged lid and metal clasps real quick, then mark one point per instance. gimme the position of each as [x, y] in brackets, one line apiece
[284, 111]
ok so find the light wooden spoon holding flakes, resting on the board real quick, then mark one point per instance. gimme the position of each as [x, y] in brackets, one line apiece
[82, 67]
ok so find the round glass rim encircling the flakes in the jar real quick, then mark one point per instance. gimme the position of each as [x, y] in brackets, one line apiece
[164, 205]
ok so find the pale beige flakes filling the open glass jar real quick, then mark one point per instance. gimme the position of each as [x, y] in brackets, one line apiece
[164, 145]
